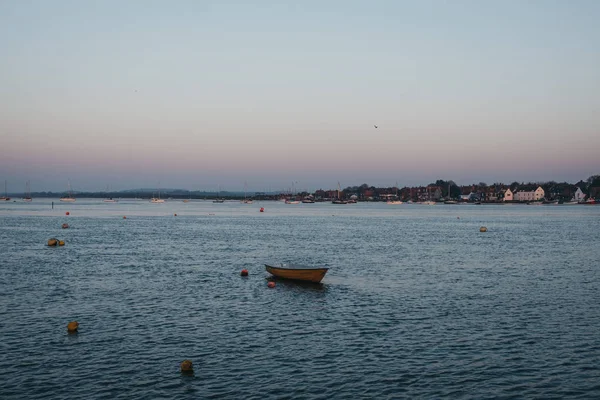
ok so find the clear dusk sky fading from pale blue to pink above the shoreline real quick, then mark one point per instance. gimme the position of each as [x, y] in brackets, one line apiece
[269, 94]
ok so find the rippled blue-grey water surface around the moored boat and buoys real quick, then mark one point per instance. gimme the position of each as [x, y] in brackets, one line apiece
[417, 302]
